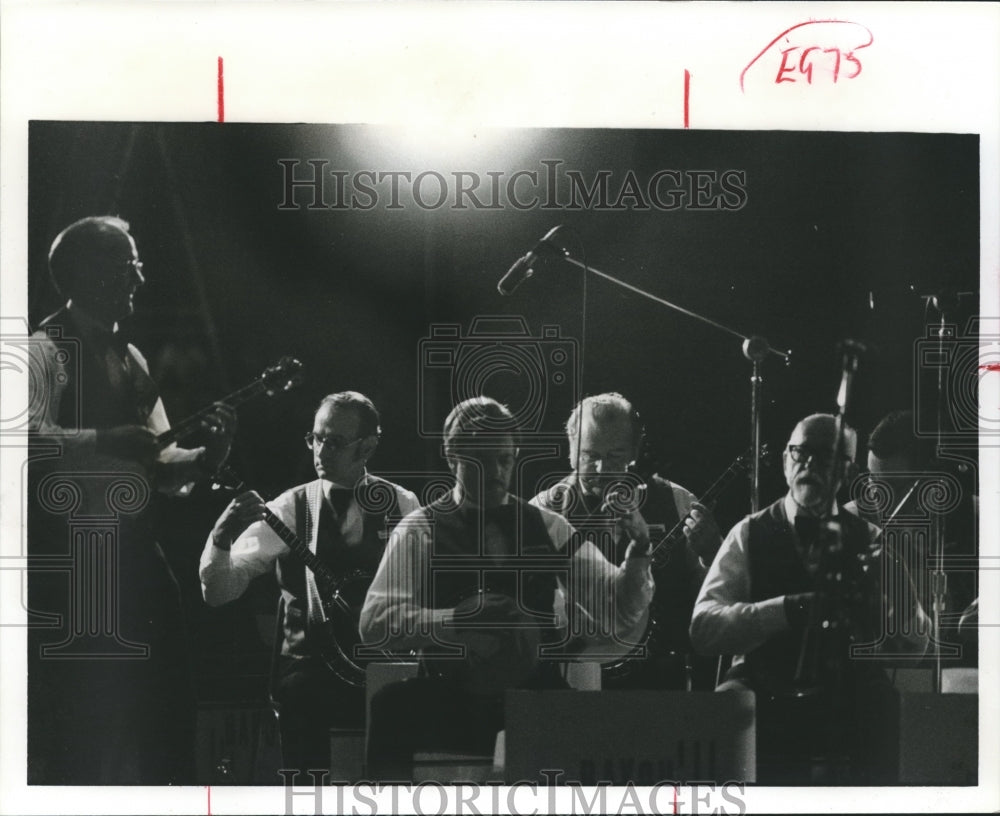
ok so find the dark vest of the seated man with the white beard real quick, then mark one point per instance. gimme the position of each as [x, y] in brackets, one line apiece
[776, 569]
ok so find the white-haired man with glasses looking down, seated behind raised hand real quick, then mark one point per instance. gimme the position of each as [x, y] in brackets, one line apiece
[605, 437]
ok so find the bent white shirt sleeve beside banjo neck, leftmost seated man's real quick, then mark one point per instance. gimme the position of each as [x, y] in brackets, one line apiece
[226, 574]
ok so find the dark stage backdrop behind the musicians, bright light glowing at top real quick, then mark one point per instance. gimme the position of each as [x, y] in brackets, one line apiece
[234, 282]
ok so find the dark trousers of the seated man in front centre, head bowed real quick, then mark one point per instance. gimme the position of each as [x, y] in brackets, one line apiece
[428, 714]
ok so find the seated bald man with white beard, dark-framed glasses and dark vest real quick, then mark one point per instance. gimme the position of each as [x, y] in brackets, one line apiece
[791, 589]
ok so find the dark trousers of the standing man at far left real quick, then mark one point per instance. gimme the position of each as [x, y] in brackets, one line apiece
[114, 721]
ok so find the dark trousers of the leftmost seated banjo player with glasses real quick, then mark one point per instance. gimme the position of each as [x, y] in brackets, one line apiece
[312, 700]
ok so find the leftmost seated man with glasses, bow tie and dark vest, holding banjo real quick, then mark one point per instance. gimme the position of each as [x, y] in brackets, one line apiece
[344, 516]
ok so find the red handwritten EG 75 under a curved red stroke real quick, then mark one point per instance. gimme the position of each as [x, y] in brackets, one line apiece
[836, 42]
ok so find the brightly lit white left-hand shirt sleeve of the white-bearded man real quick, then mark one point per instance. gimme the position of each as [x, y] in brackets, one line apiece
[725, 621]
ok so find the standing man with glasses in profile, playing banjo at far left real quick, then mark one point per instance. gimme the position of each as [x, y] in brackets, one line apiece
[110, 697]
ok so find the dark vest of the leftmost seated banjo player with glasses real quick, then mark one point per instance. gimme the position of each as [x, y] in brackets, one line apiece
[343, 559]
